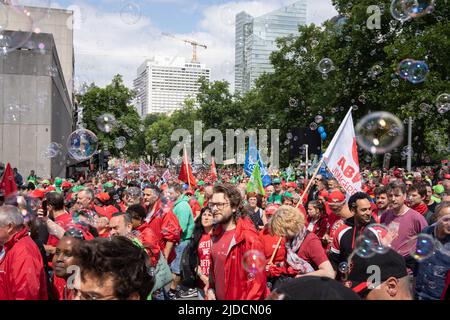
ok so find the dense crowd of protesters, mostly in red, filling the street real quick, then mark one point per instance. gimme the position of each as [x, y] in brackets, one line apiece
[136, 235]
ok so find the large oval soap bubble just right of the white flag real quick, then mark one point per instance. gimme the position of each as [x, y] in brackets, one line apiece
[379, 132]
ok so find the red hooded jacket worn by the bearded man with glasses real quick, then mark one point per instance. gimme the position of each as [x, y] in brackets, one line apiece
[239, 285]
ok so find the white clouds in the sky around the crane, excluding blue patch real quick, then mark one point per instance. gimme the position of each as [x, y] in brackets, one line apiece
[105, 44]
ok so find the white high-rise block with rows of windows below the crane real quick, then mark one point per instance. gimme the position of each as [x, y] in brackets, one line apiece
[163, 84]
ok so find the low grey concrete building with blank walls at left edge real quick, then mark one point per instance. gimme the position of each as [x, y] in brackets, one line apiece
[35, 109]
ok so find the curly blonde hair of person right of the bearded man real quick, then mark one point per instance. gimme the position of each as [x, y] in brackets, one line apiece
[287, 222]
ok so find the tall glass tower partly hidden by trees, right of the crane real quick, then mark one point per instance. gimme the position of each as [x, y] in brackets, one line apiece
[256, 40]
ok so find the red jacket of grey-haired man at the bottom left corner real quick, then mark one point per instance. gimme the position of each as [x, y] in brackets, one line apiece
[22, 274]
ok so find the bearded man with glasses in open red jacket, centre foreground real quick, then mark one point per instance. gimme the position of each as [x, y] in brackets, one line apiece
[237, 271]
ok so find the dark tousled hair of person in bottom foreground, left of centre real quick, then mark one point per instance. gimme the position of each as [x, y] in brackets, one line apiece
[120, 258]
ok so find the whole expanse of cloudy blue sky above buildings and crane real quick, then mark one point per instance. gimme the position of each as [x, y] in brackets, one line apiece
[108, 42]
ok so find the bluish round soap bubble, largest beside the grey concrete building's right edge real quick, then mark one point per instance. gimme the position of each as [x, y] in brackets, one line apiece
[82, 144]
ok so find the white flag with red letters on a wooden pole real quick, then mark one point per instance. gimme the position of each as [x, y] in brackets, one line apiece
[341, 157]
